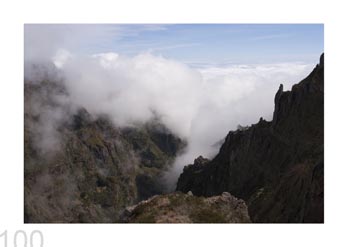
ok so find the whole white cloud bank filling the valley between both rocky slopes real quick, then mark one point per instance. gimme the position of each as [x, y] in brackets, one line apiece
[198, 104]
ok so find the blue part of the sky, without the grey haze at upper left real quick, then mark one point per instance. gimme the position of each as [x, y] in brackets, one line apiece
[215, 43]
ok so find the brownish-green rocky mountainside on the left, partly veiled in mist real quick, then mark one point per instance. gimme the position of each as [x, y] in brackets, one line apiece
[80, 168]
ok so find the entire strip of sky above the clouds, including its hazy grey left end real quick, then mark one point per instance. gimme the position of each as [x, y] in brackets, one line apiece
[189, 43]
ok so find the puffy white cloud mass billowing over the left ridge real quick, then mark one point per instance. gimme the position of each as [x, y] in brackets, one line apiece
[130, 90]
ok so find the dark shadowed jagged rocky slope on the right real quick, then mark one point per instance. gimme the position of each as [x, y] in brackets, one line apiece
[277, 167]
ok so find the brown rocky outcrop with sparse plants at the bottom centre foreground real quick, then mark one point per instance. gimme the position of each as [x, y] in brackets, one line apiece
[186, 208]
